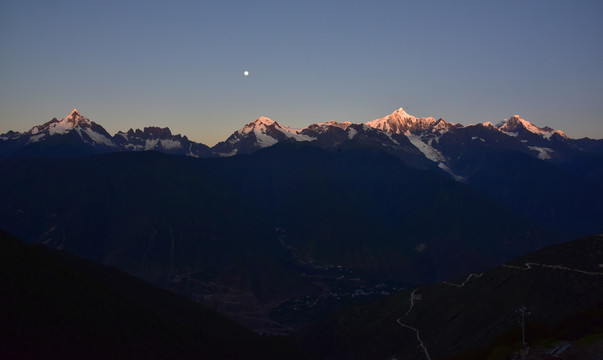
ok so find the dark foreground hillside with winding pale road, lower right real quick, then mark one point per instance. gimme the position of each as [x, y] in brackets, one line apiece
[561, 285]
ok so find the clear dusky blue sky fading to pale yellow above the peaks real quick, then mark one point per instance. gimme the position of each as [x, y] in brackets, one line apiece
[129, 64]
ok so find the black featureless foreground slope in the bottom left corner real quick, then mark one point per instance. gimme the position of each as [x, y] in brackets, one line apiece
[57, 306]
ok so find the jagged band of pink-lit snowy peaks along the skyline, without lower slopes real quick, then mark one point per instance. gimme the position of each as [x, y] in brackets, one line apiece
[401, 133]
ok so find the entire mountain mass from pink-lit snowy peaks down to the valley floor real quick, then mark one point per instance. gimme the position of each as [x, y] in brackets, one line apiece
[276, 227]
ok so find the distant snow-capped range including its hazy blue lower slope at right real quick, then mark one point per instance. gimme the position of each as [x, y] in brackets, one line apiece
[510, 162]
